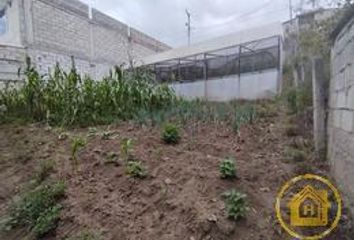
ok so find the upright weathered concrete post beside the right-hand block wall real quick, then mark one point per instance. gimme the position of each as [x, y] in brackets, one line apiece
[319, 107]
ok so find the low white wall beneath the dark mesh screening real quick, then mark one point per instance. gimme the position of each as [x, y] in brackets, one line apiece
[250, 86]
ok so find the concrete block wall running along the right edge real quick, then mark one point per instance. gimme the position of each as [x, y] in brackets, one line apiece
[341, 112]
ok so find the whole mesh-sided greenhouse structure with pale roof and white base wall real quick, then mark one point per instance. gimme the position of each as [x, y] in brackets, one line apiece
[244, 65]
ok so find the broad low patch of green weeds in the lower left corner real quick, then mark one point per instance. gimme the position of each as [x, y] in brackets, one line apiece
[37, 210]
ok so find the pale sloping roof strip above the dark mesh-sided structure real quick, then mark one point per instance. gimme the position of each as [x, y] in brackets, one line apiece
[238, 38]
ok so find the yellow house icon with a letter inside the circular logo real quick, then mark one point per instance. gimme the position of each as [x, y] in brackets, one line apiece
[309, 208]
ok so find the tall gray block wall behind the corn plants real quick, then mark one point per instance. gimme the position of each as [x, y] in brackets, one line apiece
[54, 30]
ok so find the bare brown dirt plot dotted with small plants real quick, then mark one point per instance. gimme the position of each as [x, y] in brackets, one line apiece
[181, 198]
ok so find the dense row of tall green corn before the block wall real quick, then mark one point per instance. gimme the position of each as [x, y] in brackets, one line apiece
[66, 99]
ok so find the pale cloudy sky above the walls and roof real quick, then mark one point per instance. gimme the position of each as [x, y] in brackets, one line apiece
[165, 19]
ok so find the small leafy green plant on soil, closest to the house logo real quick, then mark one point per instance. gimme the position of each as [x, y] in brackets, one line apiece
[236, 204]
